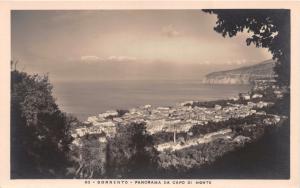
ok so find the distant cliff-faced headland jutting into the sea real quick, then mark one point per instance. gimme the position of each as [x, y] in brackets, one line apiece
[243, 75]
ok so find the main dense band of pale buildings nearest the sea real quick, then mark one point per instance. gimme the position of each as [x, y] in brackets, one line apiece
[178, 118]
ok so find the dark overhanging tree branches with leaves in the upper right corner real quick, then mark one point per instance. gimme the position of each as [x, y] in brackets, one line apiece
[269, 28]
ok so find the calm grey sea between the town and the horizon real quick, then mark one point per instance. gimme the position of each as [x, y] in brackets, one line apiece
[88, 98]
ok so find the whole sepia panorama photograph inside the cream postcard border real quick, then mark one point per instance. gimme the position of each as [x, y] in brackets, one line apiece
[150, 94]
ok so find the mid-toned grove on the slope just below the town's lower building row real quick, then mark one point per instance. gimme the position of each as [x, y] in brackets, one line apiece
[251, 128]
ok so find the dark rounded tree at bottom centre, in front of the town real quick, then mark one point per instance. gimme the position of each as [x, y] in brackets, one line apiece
[131, 152]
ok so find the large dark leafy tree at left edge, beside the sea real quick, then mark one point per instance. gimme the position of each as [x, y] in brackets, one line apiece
[40, 134]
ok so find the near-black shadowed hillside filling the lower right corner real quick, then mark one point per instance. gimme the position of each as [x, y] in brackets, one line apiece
[265, 158]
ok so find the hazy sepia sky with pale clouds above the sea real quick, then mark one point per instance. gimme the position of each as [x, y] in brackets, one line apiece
[78, 45]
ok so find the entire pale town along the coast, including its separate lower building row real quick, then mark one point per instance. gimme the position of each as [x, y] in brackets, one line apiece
[178, 118]
